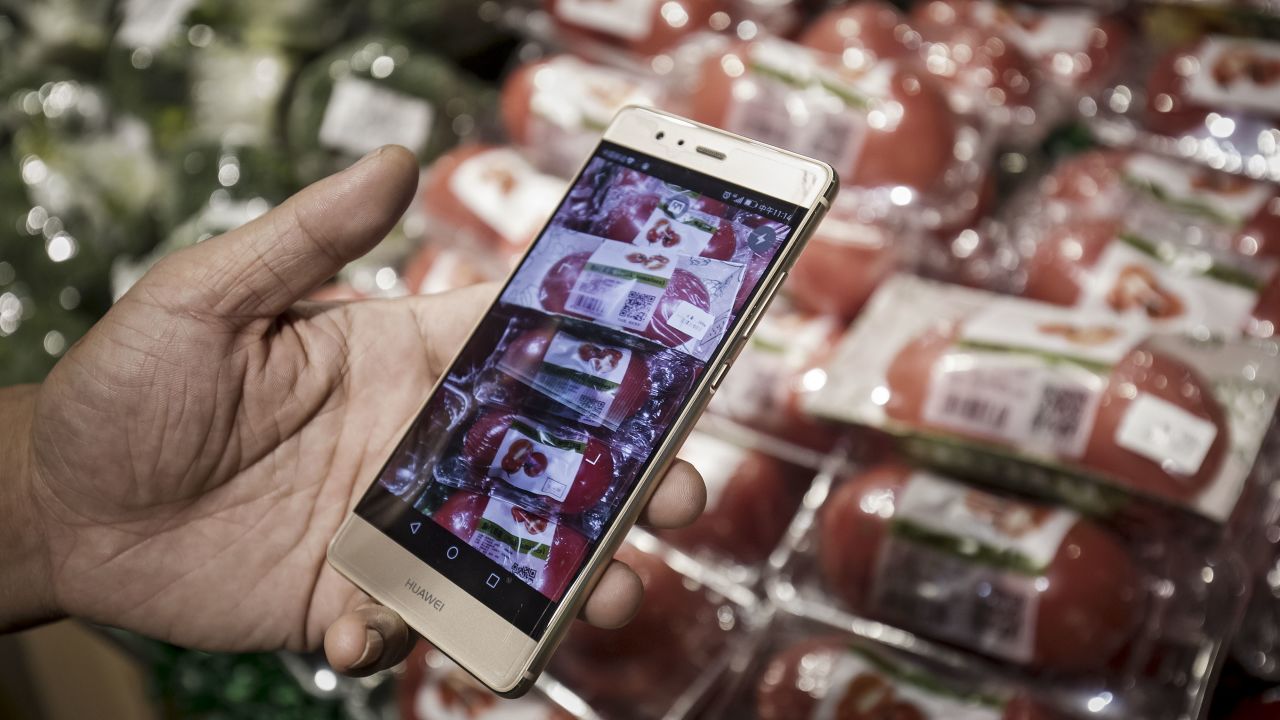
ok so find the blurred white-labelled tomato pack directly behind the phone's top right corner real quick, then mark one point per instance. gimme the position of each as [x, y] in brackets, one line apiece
[886, 129]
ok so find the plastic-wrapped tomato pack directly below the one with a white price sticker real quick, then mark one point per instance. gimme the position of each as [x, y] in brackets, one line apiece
[1062, 610]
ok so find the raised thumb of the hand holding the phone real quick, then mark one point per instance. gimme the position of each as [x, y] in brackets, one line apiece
[263, 268]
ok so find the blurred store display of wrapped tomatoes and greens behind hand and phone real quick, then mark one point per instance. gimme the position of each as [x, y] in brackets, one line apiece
[1007, 446]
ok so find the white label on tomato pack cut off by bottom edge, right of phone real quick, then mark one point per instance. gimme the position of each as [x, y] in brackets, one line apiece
[856, 687]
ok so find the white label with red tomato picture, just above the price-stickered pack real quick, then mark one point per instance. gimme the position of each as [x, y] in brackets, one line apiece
[1178, 294]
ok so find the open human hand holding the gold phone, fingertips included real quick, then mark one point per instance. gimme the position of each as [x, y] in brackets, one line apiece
[191, 458]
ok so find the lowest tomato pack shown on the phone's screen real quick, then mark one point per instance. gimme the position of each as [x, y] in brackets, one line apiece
[541, 553]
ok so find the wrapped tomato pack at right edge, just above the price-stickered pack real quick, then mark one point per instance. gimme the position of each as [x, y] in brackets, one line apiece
[1154, 240]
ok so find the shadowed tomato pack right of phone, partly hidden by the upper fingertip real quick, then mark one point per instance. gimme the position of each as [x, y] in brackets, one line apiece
[751, 500]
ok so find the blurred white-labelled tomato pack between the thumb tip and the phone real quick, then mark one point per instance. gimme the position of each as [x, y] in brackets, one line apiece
[488, 197]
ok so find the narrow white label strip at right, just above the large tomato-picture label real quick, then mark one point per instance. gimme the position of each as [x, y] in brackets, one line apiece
[1224, 198]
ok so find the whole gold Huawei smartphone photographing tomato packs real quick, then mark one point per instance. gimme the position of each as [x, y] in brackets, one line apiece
[518, 480]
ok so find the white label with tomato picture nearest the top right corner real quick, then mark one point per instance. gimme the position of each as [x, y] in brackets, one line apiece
[1237, 74]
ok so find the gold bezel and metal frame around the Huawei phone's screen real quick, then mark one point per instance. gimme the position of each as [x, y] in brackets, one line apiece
[476, 637]
